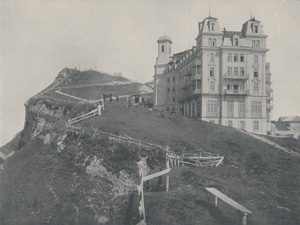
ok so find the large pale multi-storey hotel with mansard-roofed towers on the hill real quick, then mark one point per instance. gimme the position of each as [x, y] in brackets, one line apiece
[224, 79]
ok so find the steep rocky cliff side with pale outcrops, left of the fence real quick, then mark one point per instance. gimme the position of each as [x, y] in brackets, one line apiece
[54, 175]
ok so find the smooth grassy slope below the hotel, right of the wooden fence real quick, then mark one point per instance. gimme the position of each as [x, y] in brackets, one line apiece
[254, 174]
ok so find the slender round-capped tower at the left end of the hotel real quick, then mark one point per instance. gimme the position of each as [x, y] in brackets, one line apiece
[164, 56]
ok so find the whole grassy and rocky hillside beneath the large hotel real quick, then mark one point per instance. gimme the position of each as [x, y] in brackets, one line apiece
[60, 176]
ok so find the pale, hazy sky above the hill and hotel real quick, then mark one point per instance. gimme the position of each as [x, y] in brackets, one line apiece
[39, 38]
